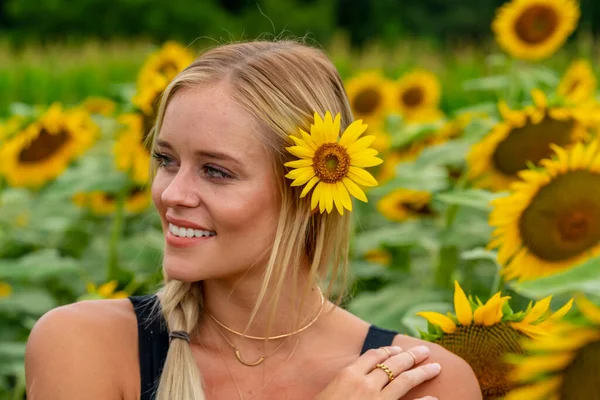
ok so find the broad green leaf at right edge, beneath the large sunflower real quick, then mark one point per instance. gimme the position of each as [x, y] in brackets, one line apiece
[583, 278]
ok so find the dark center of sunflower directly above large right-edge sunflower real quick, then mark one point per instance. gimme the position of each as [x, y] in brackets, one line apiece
[531, 143]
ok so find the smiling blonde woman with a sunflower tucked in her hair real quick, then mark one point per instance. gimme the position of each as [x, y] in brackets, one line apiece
[255, 157]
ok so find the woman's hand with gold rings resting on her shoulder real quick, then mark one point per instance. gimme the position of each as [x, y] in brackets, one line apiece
[365, 380]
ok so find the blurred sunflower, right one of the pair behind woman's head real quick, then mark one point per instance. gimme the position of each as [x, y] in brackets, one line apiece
[417, 96]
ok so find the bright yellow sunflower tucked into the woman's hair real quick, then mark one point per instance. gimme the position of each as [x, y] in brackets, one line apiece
[333, 165]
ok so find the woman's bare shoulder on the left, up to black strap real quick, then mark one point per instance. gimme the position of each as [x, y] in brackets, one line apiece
[85, 349]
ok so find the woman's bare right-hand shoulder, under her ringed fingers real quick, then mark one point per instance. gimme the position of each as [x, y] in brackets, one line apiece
[456, 381]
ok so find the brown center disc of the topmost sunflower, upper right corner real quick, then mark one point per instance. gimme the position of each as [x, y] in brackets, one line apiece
[536, 24]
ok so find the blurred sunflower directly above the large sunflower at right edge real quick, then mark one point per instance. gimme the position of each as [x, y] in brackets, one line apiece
[523, 138]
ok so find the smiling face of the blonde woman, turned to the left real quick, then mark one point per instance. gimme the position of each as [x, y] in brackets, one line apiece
[214, 188]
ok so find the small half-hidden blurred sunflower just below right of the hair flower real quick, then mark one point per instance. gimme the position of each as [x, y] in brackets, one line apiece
[402, 204]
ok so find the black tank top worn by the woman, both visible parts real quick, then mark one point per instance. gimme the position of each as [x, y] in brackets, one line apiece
[153, 339]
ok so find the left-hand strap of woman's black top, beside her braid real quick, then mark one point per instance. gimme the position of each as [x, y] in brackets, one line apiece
[153, 342]
